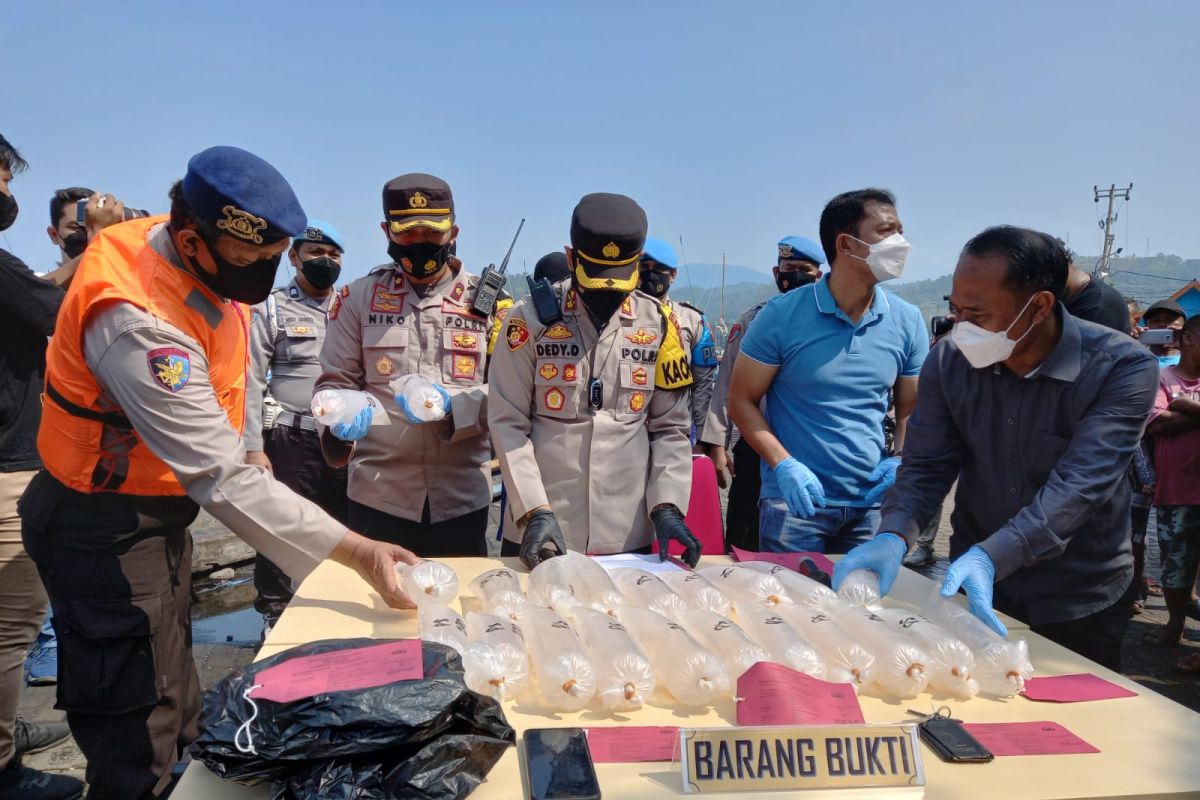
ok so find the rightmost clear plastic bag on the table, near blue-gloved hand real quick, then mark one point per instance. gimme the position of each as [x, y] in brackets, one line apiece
[1003, 666]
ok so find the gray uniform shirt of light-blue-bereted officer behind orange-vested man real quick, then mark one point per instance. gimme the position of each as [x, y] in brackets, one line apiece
[292, 356]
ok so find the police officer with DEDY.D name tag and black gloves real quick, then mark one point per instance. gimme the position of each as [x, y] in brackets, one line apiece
[589, 411]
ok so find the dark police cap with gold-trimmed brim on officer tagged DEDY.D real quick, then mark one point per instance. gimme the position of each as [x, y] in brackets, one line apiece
[608, 236]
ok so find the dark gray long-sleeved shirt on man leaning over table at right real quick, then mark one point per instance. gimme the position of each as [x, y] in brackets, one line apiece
[1041, 467]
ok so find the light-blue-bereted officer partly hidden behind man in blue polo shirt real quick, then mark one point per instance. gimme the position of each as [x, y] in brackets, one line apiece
[799, 264]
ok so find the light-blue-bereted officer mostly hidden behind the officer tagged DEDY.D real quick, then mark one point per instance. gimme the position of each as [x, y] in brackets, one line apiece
[657, 273]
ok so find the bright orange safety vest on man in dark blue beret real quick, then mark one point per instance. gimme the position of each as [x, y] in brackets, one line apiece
[92, 448]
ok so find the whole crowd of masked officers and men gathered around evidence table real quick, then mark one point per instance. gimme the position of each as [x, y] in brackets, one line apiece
[159, 370]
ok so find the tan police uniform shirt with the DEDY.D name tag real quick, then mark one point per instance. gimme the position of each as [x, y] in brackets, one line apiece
[599, 471]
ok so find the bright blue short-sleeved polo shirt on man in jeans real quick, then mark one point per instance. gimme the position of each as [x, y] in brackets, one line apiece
[831, 394]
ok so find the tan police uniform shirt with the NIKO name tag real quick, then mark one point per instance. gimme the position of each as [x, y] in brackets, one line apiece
[380, 329]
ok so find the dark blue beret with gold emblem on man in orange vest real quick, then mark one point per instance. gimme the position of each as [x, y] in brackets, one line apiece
[243, 196]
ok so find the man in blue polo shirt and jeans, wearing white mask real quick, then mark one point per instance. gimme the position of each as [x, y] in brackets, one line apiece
[826, 358]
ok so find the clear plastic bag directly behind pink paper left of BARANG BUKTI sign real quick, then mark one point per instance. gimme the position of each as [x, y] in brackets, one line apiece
[625, 676]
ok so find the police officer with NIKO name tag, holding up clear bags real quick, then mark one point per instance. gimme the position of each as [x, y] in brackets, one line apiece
[423, 485]
